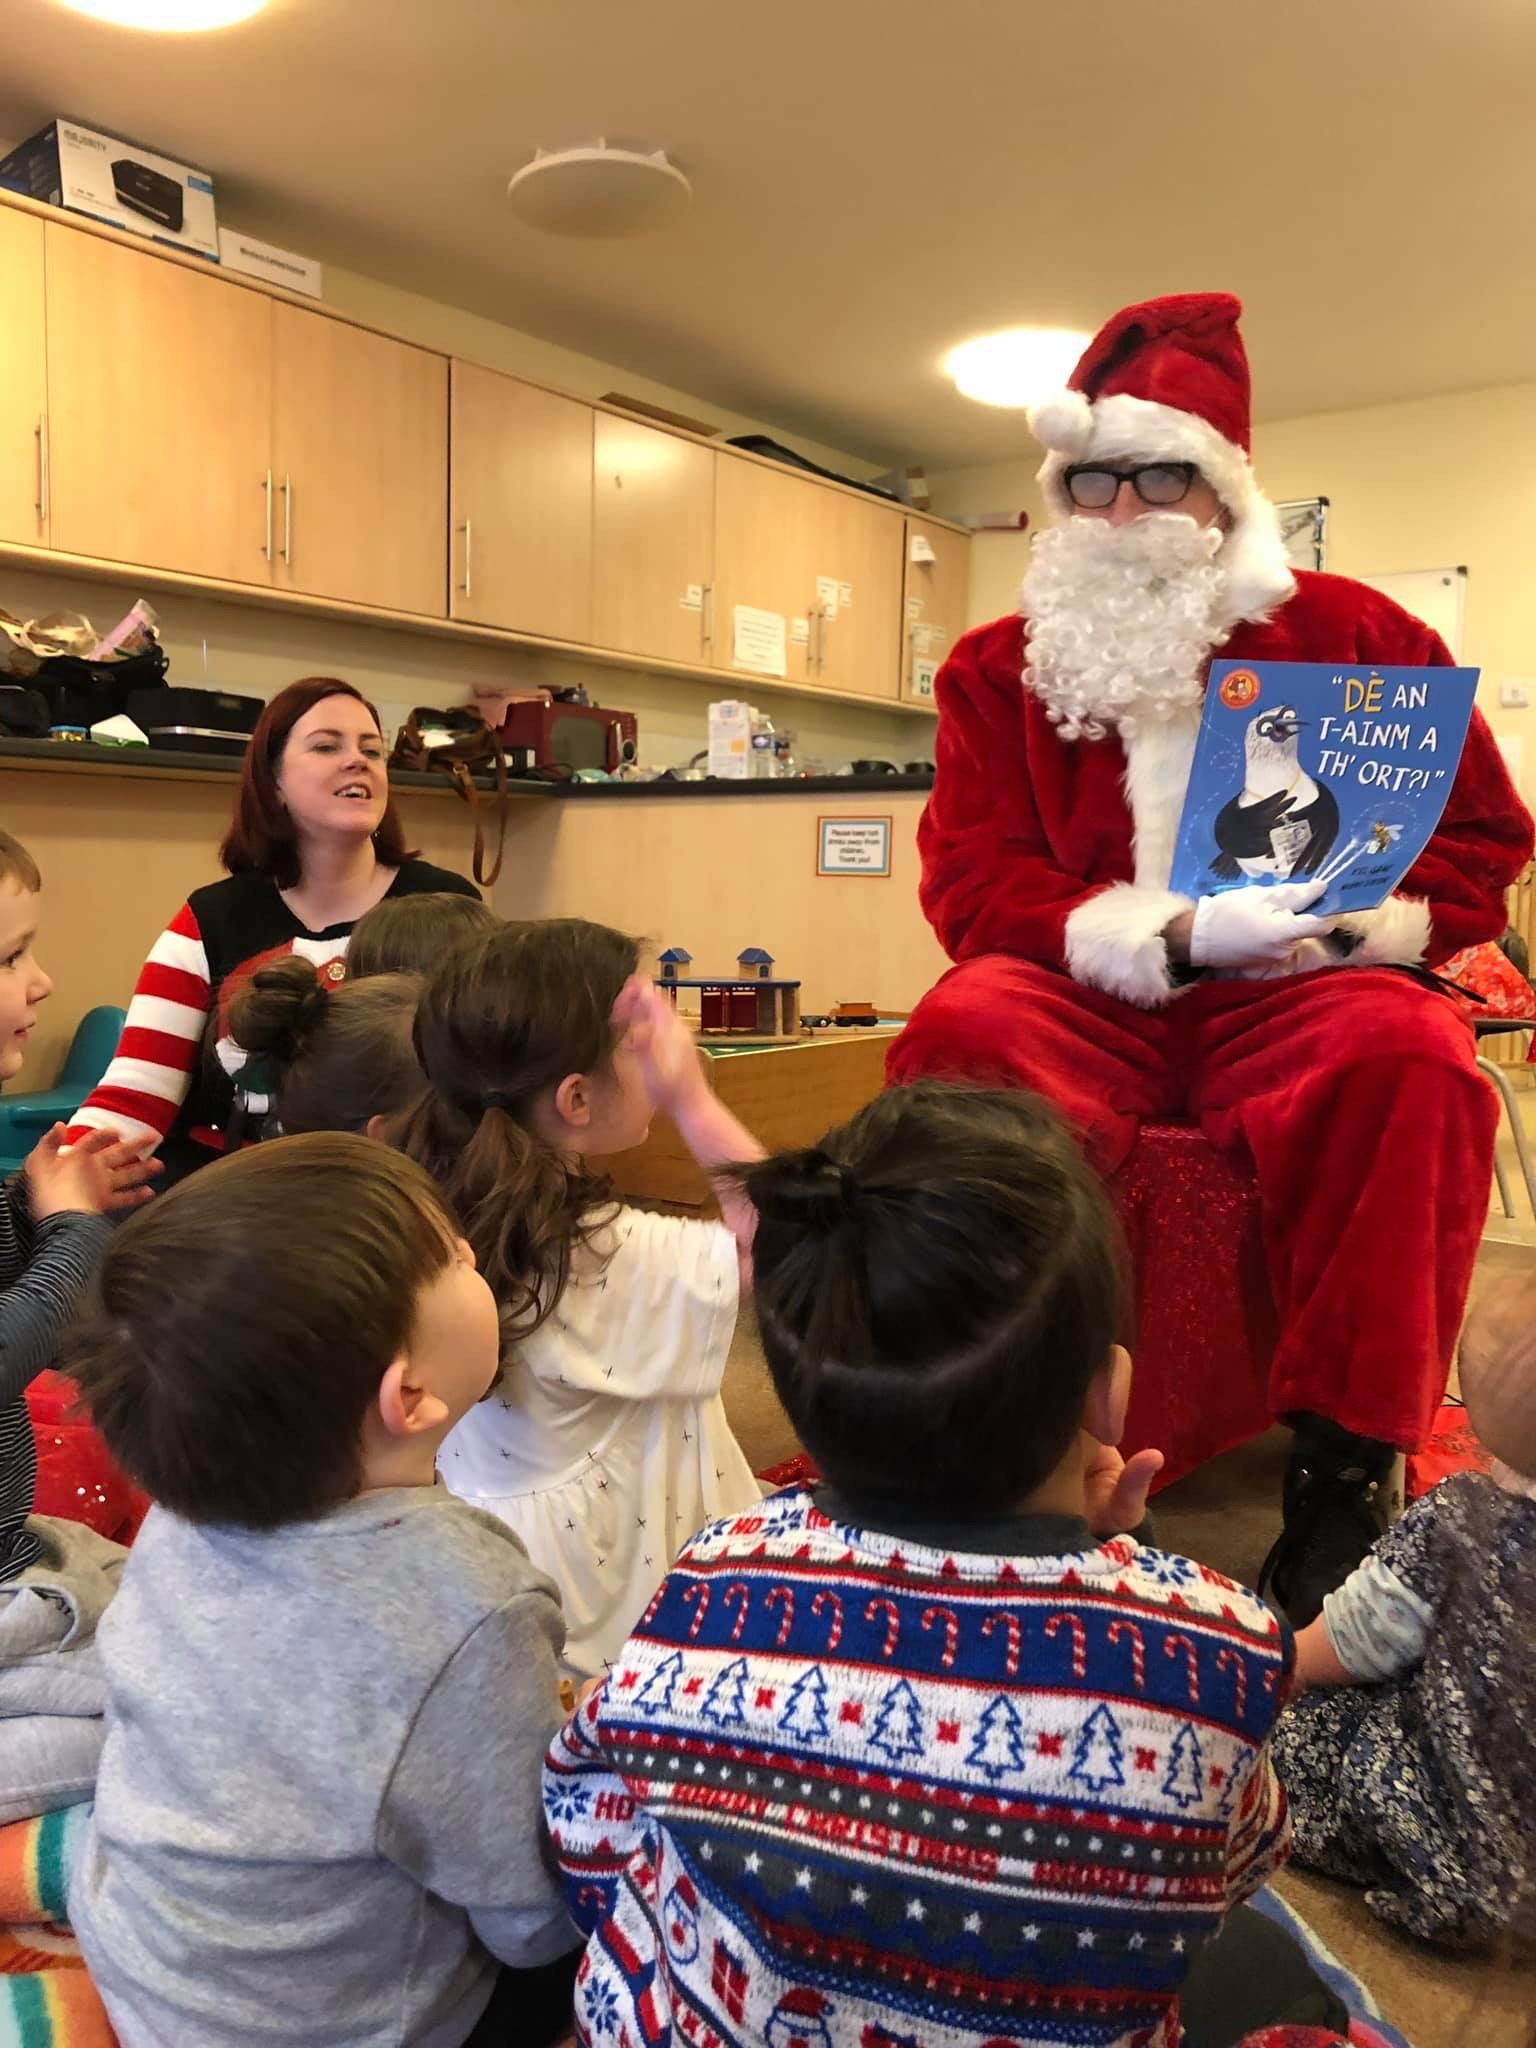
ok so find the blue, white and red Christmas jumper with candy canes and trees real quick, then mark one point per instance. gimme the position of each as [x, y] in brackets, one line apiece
[855, 1785]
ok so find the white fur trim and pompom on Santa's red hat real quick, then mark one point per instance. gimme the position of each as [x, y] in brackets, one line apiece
[1136, 429]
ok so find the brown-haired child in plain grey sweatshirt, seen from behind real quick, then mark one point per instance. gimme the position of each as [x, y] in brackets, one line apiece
[331, 1684]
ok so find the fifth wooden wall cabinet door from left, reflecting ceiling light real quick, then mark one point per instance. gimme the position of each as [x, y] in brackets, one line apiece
[652, 542]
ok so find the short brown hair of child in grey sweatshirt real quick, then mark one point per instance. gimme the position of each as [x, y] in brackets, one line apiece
[239, 1326]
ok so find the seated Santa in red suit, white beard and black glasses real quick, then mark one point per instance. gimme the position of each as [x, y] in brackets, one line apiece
[1316, 1050]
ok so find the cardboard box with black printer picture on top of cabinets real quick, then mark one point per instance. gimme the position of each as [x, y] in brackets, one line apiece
[114, 181]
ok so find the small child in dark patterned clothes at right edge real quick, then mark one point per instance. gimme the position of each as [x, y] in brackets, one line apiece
[1412, 1768]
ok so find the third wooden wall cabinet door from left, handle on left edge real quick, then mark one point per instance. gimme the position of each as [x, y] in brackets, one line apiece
[359, 466]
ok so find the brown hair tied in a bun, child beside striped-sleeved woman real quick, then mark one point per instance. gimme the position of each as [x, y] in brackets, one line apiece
[329, 1056]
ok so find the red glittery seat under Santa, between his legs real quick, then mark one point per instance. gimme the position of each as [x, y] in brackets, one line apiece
[1205, 1320]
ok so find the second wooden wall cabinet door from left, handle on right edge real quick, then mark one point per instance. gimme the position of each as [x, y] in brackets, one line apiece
[161, 413]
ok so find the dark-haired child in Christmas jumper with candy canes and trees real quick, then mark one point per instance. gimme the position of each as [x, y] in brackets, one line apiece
[927, 1754]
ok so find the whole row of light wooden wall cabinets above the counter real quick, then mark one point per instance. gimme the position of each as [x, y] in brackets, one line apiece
[167, 419]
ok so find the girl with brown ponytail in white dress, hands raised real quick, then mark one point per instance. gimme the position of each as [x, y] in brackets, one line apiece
[605, 1445]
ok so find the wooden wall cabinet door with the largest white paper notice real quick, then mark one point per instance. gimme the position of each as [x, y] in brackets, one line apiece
[769, 529]
